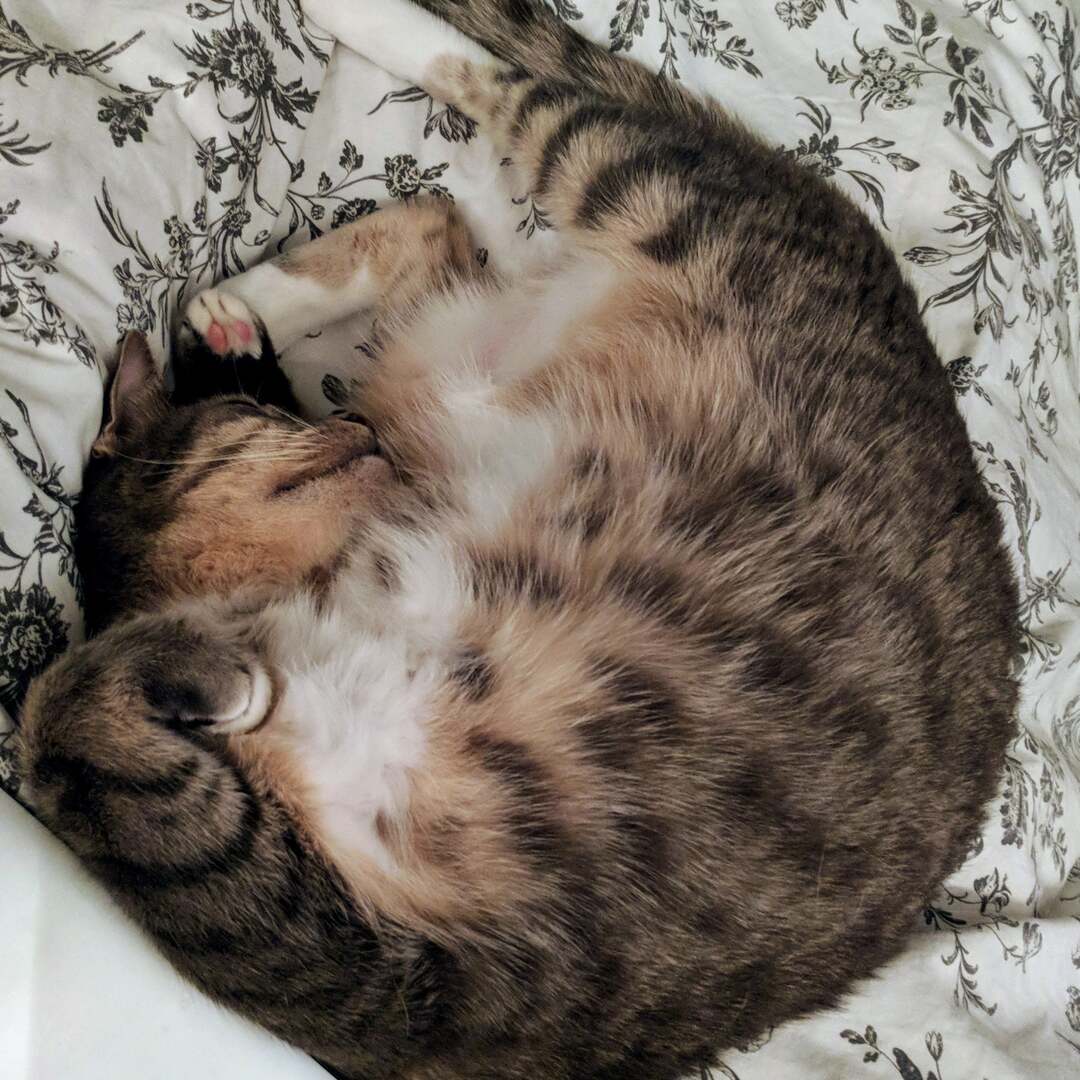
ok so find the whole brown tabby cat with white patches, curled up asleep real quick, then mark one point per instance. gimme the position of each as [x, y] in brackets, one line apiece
[630, 695]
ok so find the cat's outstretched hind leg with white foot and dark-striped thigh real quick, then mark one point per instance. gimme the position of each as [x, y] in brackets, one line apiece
[628, 174]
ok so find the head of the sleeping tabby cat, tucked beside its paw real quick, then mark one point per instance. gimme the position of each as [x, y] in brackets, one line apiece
[214, 496]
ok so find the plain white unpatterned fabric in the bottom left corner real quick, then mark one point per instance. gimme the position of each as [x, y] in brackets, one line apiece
[85, 997]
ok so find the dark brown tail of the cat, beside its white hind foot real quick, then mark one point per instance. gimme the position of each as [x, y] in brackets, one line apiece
[528, 35]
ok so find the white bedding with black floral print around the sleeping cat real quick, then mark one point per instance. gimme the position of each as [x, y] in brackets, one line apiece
[151, 147]
